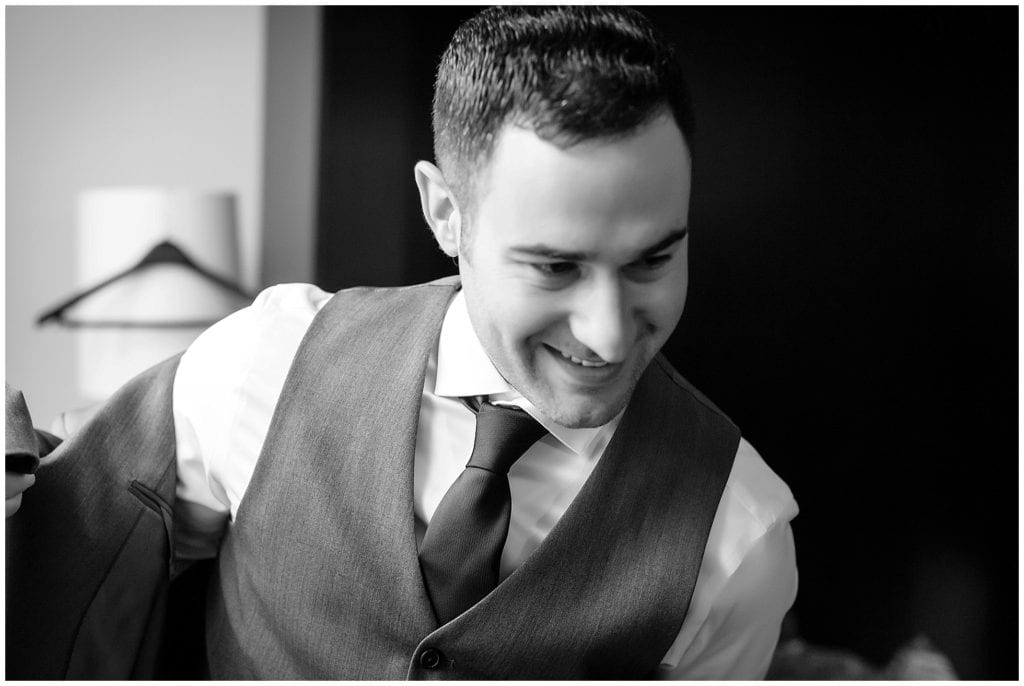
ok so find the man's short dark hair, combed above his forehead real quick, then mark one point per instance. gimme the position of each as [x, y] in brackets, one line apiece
[569, 74]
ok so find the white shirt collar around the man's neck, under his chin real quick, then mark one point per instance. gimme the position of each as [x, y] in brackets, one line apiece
[465, 370]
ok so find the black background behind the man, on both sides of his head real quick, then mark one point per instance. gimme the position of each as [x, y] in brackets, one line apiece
[854, 294]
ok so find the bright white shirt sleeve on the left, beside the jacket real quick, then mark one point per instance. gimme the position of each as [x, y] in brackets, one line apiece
[226, 392]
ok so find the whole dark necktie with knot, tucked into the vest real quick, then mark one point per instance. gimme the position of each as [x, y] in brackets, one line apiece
[462, 548]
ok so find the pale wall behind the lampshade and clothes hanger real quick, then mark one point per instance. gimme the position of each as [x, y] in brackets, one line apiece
[112, 97]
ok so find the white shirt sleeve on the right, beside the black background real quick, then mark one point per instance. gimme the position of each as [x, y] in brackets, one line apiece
[747, 584]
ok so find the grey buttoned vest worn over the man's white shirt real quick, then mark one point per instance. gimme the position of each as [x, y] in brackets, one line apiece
[319, 577]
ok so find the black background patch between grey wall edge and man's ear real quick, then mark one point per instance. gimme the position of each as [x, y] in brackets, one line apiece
[376, 125]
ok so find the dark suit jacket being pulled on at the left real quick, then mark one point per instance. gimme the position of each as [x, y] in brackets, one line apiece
[90, 552]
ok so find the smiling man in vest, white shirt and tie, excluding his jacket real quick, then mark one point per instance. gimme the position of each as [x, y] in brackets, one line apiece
[646, 537]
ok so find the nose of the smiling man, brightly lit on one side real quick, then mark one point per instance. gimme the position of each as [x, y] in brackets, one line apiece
[604, 320]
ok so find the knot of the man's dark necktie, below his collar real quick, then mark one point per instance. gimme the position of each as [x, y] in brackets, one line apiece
[503, 435]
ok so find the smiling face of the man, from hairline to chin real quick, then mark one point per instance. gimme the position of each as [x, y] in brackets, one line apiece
[576, 268]
